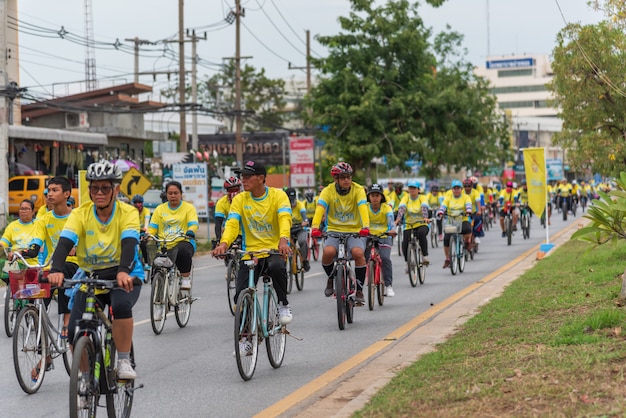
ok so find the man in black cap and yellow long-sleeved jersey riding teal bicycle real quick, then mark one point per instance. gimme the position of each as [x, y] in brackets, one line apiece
[262, 216]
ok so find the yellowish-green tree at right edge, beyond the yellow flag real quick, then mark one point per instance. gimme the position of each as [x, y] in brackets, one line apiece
[589, 66]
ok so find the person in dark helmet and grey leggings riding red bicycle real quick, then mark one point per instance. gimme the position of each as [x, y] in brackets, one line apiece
[381, 222]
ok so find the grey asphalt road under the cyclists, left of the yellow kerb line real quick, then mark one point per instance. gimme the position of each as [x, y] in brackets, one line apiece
[191, 371]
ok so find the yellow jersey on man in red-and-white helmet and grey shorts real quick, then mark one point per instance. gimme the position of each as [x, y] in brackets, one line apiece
[344, 213]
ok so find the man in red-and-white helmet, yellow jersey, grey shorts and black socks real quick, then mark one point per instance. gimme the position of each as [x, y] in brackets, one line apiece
[344, 204]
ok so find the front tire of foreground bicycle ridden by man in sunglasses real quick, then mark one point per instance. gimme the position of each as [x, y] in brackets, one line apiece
[84, 343]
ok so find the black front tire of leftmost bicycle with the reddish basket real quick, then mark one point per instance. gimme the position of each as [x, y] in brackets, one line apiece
[24, 378]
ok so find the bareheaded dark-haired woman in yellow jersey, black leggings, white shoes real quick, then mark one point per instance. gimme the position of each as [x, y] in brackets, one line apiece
[173, 218]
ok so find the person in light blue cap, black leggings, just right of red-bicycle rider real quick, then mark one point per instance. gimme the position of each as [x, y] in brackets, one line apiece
[414, 208]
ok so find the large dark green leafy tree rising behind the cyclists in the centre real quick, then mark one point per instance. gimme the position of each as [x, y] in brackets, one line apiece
[386, 90]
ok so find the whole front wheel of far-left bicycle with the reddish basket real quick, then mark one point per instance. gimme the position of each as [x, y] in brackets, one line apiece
[29, 350]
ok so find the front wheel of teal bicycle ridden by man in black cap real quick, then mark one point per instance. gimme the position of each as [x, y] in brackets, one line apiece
[246, 335]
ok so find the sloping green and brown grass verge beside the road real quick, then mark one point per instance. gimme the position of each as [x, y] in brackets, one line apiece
[551, 345]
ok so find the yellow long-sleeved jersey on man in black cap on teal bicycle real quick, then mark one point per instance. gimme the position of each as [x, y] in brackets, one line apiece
[261, 221]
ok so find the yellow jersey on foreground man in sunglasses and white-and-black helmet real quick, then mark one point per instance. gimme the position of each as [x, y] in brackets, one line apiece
[98, 244]
